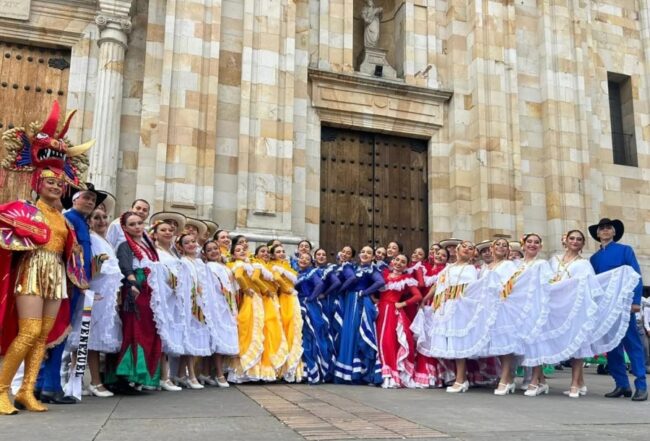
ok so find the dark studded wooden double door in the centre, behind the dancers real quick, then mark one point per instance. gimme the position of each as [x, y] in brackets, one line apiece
[373, 190]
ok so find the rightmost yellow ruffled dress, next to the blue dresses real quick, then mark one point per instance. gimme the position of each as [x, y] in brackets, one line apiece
[285, 277]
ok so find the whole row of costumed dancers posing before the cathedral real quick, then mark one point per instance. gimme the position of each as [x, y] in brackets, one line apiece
[171, 301]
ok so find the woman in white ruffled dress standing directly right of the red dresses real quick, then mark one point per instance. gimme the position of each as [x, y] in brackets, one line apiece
[464, 310]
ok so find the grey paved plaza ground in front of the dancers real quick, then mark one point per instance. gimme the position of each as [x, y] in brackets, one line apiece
[333, 412]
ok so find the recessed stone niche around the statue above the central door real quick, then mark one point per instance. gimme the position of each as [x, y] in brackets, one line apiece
[391, 33]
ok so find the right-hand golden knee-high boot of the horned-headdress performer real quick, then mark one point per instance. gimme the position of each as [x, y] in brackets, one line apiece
[25, 397]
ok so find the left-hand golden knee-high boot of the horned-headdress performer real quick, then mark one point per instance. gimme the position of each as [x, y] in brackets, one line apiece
[29, 330]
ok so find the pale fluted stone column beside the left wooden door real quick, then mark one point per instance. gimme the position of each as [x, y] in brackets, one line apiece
[114, 26]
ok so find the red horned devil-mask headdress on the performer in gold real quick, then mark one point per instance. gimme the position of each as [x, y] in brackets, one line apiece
[29, 152]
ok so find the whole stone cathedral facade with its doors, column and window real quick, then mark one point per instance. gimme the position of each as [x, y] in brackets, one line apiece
[512, 115]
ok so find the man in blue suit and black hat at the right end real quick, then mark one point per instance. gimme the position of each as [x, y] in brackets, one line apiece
[612, 255]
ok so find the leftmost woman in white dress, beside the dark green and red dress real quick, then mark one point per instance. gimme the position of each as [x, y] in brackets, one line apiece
[105, 324]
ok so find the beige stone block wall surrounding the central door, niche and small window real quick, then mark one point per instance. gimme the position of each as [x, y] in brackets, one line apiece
[221, 118]
